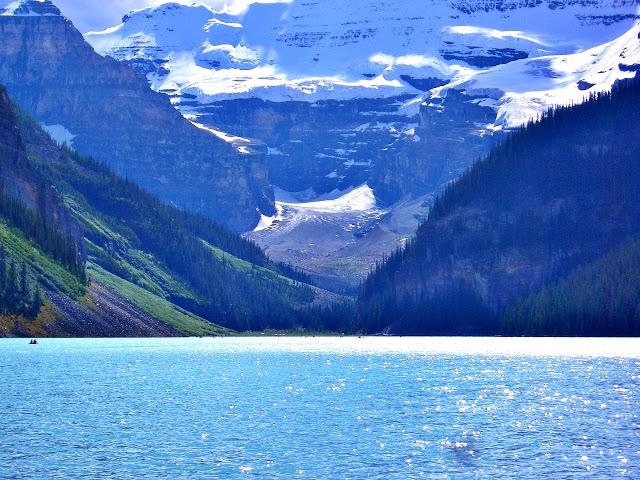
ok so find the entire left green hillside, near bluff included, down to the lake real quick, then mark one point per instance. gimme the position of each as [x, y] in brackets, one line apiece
[151, 269]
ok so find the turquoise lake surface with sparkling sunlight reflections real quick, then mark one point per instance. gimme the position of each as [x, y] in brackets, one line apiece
[320, 408]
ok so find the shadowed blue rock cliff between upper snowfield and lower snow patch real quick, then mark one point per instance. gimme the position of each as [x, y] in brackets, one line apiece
[321, 146]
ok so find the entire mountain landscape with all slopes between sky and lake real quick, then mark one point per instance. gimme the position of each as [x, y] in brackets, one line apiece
[437, 167]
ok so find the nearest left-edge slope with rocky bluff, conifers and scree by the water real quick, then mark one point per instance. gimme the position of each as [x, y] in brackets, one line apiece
[42, 256]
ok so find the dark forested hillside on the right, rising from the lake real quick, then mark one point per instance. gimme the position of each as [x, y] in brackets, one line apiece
[558, 194]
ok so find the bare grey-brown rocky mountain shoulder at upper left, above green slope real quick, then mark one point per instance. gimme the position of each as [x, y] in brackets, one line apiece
[104, 109]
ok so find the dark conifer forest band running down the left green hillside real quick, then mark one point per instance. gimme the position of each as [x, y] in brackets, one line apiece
[225, 293]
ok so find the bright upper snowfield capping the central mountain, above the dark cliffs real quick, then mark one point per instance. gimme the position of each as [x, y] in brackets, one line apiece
[336, 50]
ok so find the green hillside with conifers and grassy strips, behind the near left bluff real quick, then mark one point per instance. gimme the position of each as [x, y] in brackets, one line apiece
[178, 267]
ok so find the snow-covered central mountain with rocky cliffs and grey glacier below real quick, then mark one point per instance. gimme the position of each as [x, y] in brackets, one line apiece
[401, 96]
